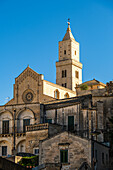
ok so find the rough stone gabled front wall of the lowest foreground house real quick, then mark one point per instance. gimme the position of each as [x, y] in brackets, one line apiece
[79, 150]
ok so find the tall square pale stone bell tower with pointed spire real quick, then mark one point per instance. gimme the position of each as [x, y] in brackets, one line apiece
[68, 68]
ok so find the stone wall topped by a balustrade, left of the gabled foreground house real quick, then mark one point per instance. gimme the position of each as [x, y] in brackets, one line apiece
[40, 132]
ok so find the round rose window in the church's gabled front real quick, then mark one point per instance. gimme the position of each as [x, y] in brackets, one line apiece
[28, 96]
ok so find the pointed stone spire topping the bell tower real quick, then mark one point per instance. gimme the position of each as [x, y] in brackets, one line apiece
[68, 34]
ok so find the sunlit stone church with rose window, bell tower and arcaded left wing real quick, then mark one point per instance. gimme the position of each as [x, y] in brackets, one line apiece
[30, 89]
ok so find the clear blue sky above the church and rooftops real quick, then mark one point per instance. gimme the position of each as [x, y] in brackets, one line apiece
[30, 31]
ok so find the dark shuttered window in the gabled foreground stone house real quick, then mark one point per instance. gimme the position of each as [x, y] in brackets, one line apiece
[63, 156]
